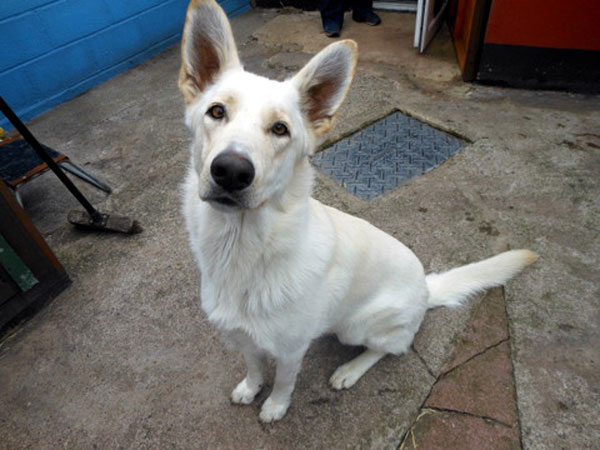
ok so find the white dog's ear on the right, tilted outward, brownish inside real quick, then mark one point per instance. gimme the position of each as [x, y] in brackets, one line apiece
[324, 82]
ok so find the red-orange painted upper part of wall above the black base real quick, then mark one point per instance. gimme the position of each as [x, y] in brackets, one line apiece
[566, 24]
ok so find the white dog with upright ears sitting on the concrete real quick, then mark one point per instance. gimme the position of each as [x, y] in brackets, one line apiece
[279, 268]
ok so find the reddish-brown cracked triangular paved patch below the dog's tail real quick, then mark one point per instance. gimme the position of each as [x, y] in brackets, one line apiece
[475, 393]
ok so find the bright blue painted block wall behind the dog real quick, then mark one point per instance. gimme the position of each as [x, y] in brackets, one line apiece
[53, 50]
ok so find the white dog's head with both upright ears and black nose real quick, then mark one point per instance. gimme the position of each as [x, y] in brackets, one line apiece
[250, 133]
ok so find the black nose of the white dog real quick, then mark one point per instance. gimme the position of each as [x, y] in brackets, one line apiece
[232, 171]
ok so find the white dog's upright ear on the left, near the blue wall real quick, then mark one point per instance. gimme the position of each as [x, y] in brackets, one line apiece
[207, 48]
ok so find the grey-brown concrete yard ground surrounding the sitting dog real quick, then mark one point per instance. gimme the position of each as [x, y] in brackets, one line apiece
[126, 359]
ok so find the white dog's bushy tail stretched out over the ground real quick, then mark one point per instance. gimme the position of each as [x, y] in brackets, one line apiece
[455, 286]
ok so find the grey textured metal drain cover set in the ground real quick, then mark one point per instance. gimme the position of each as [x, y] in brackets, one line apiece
[386, 154]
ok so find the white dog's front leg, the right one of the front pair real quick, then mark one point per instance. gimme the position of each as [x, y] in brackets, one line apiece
[278, 402]
